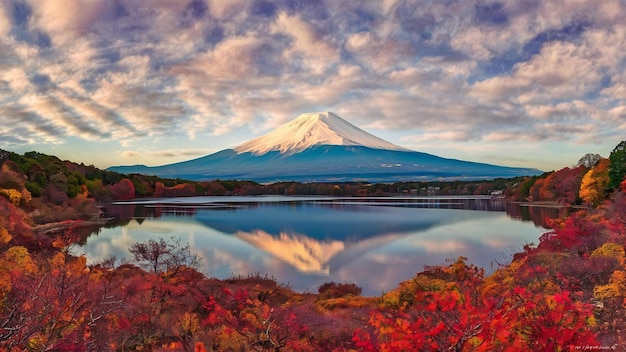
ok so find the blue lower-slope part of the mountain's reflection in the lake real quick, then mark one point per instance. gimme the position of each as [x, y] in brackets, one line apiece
[342, 223]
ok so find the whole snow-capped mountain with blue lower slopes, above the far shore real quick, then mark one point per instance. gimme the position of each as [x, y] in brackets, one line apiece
[323, 147]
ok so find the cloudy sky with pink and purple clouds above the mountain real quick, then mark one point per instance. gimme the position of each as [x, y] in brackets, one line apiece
[530, 83]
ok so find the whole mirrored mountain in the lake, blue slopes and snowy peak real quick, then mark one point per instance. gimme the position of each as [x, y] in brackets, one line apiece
[318, 239]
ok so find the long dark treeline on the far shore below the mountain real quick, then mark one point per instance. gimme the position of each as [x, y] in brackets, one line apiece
[55, 181]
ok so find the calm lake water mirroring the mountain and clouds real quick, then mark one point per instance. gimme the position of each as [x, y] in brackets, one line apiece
[306, 241]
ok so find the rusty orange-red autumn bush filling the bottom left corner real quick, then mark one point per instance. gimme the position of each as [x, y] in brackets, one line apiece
[50, 300]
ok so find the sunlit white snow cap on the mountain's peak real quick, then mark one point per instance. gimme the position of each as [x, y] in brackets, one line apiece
[312, 129]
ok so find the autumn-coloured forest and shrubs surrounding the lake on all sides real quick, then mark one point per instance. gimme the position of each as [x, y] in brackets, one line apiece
[566, 292]
